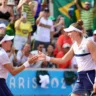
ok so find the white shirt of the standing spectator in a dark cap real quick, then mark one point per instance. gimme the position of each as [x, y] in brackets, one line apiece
[43, 34]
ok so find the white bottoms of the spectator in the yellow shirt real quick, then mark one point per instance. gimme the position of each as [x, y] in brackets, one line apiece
[19, 42]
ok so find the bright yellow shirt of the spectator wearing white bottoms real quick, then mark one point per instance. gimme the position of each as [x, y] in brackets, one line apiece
[24, 28]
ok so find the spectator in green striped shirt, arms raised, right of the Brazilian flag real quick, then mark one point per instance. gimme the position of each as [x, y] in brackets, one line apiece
[87, 15]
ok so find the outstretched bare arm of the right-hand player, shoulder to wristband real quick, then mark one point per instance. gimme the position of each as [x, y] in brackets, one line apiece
[68, 56]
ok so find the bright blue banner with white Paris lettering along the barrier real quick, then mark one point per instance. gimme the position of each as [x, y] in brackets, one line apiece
[24, 84]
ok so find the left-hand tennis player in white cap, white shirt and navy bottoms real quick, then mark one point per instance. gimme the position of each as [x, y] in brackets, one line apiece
[6, 66]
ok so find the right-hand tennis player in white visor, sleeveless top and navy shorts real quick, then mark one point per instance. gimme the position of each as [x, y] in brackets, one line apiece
[85, 52]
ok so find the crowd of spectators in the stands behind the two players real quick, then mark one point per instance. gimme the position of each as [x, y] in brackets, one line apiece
[35, 29]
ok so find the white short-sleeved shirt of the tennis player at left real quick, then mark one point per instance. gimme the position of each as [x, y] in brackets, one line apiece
[4, 59]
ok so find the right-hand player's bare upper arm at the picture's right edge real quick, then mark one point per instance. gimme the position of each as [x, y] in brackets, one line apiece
[92, 48]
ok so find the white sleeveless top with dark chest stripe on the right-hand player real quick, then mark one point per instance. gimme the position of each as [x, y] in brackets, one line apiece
[83, 56]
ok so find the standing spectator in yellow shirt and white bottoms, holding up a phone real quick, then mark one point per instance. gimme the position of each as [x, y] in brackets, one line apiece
[23, 32]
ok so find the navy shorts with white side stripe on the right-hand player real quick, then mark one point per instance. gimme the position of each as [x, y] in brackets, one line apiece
[84, 83]
